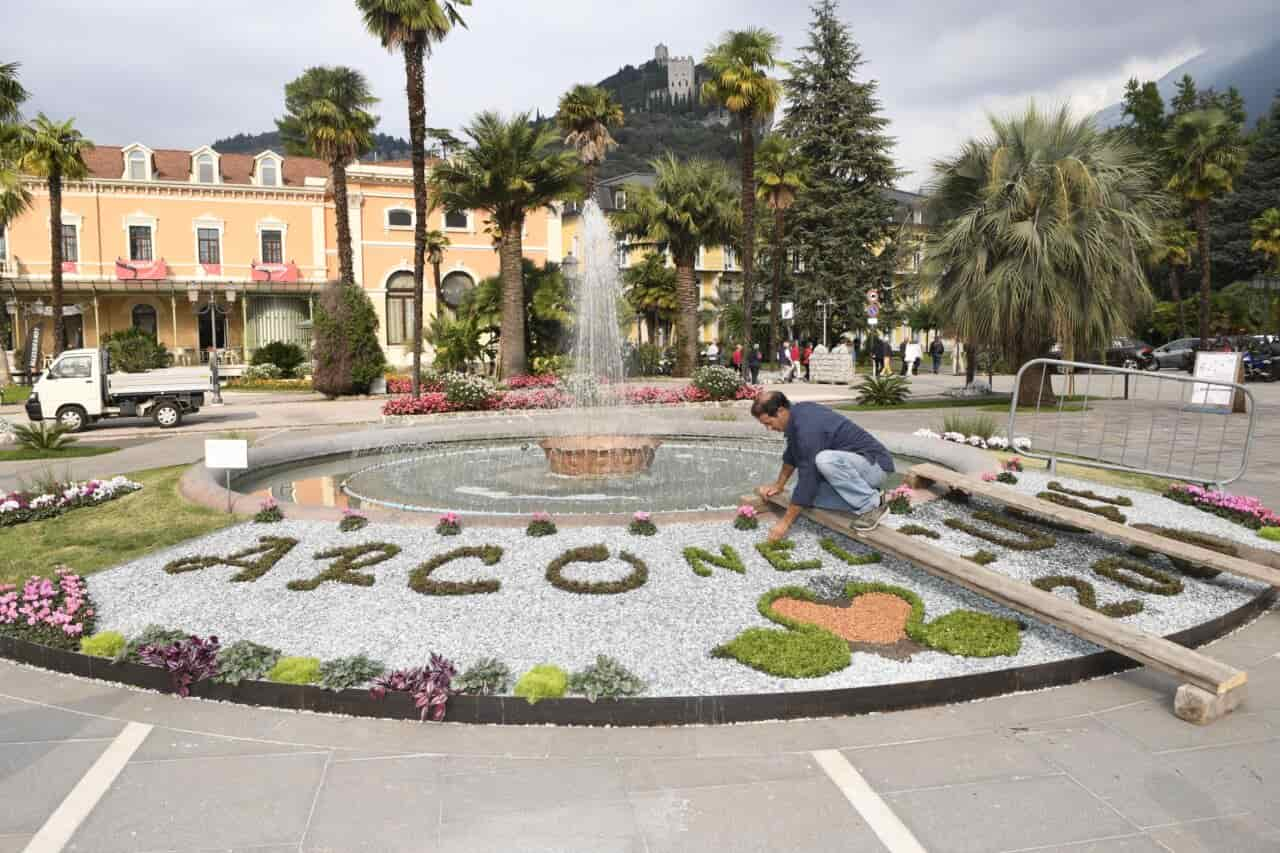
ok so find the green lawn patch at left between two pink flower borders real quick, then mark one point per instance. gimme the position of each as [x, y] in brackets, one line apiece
[94, 539]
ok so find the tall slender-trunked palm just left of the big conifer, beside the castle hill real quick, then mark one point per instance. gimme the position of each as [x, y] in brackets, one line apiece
[739, 81]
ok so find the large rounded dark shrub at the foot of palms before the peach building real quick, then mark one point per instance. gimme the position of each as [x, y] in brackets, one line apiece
[349, 357]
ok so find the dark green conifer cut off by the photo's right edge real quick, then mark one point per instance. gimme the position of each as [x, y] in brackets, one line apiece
[1256, 190]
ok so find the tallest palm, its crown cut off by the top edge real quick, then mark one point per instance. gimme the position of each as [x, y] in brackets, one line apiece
[413, 28]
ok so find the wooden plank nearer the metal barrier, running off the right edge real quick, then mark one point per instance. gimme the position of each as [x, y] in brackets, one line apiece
[1092, 523]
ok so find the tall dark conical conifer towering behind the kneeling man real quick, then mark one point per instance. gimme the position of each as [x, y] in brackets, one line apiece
[842, 225]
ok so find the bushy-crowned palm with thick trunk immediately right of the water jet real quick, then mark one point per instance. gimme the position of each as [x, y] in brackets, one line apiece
[691, 207]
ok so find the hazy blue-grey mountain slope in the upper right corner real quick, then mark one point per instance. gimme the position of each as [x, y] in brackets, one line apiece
[1256, 72]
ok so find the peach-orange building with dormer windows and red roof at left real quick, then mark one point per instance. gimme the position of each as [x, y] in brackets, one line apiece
[228, 252]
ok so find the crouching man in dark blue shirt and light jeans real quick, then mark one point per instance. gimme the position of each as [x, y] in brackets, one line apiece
[840, 464]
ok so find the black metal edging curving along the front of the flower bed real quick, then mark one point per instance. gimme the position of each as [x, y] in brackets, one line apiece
[752, 708]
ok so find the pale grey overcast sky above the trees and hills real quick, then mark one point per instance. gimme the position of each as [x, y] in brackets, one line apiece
[173, 74]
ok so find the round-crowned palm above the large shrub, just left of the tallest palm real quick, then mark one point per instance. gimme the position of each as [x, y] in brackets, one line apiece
[327, 117]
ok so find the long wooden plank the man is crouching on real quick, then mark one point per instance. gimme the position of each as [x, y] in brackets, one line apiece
[1146, 649]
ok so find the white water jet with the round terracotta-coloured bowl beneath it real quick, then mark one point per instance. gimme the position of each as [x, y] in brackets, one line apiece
[598, 370]
